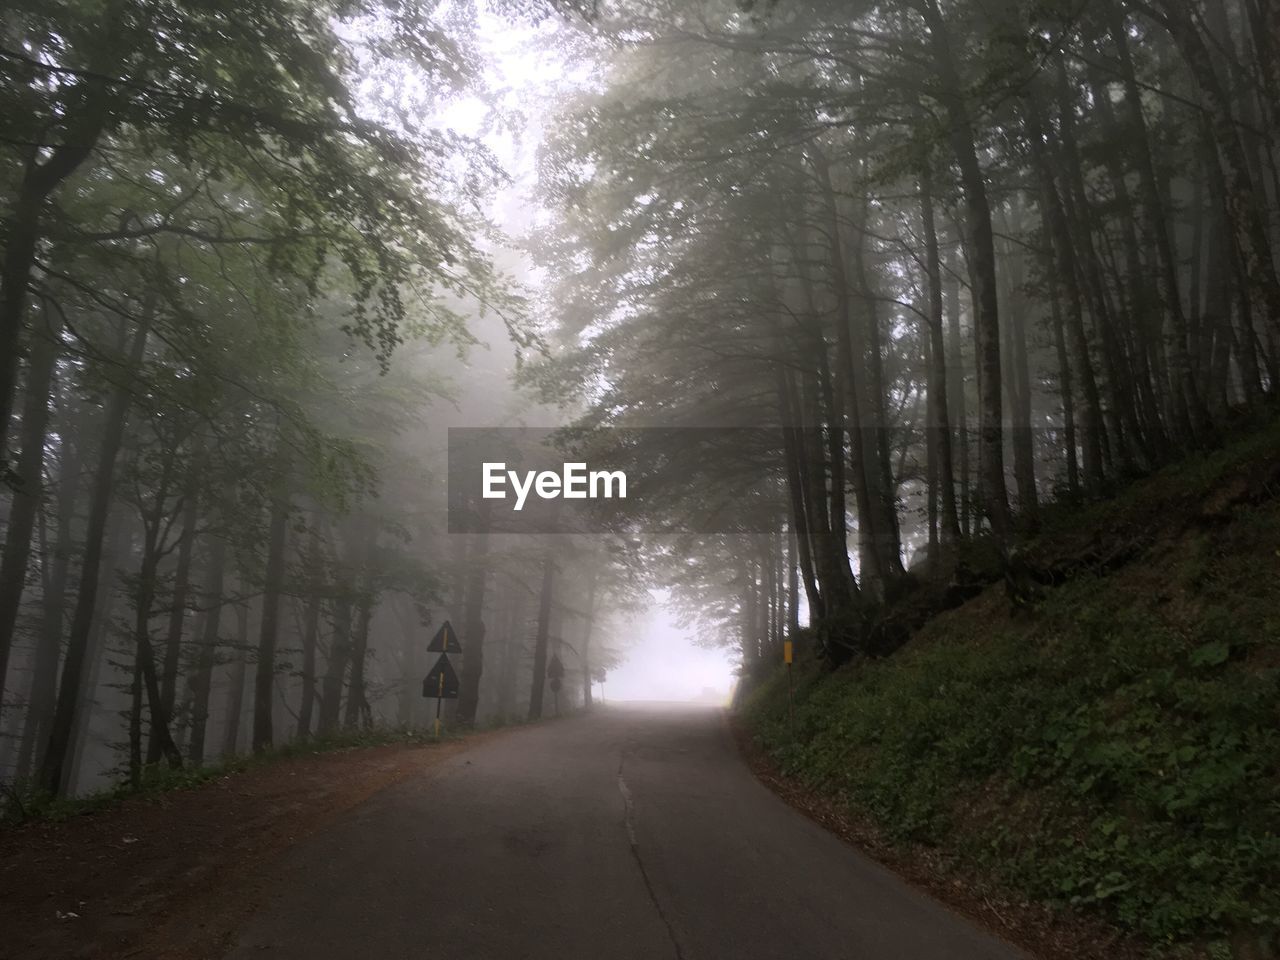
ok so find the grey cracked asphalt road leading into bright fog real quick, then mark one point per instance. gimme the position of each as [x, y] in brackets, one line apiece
[633, 834]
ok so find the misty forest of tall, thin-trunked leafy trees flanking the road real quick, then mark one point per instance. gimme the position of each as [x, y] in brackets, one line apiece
[967, 268]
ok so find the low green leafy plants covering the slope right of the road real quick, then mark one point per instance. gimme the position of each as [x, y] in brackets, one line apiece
[1121, 769]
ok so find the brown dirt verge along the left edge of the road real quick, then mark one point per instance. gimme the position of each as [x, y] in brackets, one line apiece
[172, 876]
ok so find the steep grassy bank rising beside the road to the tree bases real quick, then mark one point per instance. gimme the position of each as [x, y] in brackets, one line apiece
[1117, 747]
